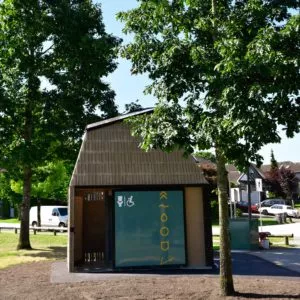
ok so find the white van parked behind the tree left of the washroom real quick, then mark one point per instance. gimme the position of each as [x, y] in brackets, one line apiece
[51, 216]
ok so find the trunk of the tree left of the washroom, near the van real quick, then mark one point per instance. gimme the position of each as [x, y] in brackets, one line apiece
[24, 242]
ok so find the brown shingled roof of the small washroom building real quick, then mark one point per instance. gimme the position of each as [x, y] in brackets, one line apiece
[110, 156]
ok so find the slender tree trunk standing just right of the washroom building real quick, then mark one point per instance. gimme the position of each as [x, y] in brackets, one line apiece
[226, 279]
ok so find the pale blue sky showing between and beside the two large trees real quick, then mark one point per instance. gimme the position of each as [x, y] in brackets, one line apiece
[129, 88]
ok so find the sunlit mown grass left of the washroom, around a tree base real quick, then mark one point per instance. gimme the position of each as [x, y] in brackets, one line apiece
[45, 246]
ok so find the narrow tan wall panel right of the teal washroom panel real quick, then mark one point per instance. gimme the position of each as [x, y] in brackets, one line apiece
[195, 236]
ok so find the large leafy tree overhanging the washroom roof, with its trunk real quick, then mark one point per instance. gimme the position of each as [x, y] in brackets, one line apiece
[226, 74]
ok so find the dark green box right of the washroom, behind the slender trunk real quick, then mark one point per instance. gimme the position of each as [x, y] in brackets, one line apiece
[244, 234]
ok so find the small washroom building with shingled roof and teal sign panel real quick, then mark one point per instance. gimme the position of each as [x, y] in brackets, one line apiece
[134, 209]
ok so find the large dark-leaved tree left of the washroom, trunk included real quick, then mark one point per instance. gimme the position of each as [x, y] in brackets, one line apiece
[53, 56]
